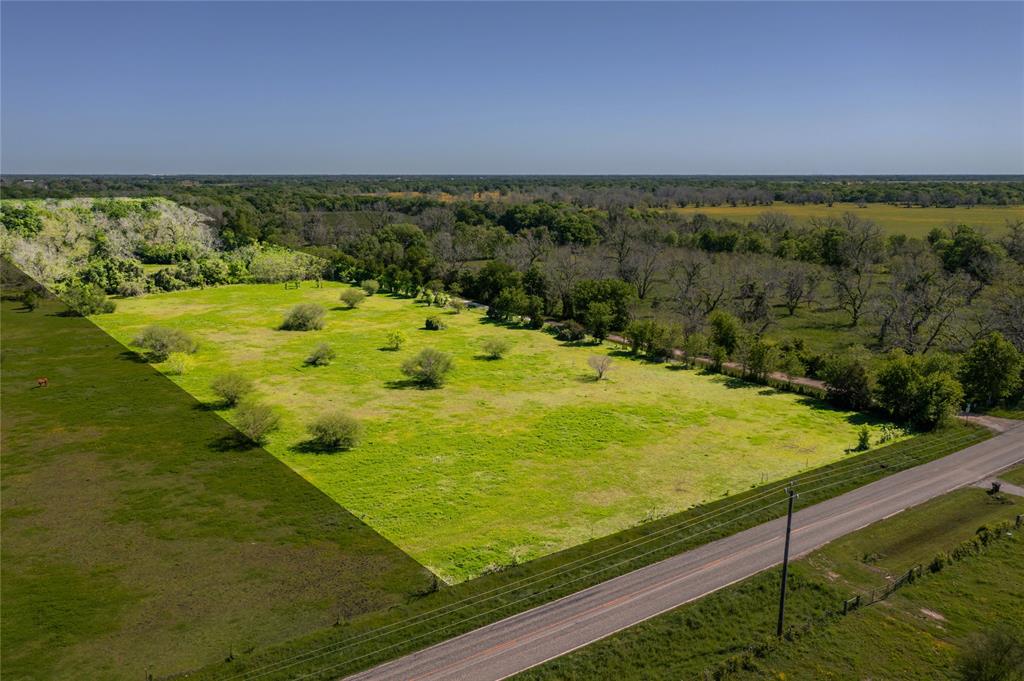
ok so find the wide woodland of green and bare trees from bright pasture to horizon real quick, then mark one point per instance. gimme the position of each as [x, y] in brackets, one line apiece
[836, 299]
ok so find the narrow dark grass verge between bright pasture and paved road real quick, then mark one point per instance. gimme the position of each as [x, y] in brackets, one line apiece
[366, 642]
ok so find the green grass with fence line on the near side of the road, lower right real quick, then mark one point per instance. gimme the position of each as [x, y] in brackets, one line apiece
[914, 634]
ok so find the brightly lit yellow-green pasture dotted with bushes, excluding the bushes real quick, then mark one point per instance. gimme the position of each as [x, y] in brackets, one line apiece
[514, 458]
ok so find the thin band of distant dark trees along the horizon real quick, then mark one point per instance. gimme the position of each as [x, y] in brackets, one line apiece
[344, 193]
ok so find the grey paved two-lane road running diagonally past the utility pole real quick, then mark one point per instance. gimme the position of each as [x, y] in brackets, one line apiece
[511, 646]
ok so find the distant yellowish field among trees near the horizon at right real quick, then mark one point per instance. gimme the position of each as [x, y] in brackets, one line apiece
[915, 222]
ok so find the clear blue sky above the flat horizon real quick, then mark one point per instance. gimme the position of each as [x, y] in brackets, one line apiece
[293, 88]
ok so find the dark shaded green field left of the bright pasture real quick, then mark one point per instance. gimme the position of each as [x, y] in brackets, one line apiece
[134, 542]
